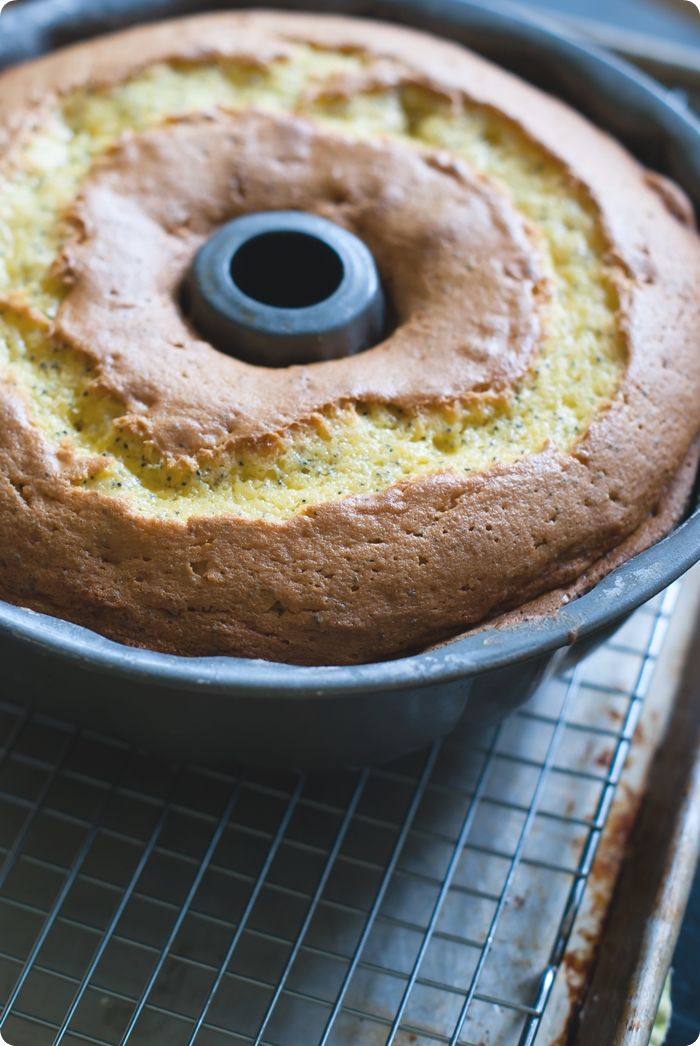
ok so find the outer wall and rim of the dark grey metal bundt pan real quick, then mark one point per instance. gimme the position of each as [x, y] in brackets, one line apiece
[253, 712]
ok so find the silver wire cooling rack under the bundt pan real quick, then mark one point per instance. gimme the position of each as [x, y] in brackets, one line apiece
[426, 902]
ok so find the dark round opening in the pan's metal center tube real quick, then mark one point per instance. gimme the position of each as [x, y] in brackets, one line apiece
[287, 270]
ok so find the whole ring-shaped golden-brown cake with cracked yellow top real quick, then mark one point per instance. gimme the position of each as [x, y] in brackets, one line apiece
[529, 422]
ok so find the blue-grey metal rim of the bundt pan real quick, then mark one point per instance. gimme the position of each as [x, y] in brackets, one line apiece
[616, 597]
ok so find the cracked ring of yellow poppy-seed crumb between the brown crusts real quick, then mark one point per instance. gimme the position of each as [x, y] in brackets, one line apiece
[364, 448]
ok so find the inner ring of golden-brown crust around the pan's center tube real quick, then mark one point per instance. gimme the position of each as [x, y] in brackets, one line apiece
[463, 276]
